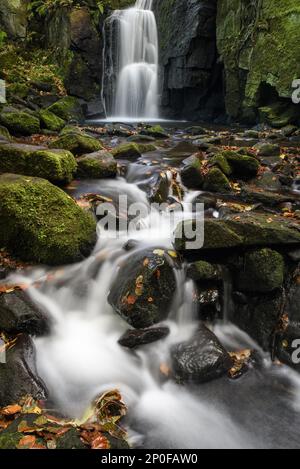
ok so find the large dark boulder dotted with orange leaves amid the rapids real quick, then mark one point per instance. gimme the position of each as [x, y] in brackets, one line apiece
[144, 287]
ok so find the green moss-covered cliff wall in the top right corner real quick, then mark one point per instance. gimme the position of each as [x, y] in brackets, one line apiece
[258, 43]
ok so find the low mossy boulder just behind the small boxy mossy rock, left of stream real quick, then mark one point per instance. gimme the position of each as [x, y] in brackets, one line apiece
[78, 144]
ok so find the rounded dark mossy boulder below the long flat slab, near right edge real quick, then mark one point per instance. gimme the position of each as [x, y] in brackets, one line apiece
[261, 271]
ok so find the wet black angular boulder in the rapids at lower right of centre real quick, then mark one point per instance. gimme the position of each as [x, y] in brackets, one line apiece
[201, 359]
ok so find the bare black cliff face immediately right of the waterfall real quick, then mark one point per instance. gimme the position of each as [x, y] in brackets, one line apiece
[191, 78]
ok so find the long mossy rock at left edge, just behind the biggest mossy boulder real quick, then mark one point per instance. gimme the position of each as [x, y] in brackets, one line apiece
[58, 166]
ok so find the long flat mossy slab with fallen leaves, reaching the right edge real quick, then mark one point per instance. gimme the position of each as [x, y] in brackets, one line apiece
[249, 229]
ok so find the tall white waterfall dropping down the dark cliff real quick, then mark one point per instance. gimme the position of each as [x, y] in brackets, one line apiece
[131, 74]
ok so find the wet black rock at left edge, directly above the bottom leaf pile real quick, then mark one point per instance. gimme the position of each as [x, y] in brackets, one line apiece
[18, 376]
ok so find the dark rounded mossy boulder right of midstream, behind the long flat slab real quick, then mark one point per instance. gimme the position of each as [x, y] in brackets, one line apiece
[242, 166]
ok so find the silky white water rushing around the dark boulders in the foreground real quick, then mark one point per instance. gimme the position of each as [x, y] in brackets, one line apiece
[82, 358]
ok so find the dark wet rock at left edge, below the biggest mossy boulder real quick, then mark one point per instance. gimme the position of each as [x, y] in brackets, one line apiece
[19, 314]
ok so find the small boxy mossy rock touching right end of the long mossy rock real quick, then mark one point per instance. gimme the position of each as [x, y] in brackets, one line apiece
[97, 165]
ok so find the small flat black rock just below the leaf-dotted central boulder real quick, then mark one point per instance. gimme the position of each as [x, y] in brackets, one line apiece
[136, 338]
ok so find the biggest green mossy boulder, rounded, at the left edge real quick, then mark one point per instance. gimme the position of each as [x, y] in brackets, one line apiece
[40, 223]
